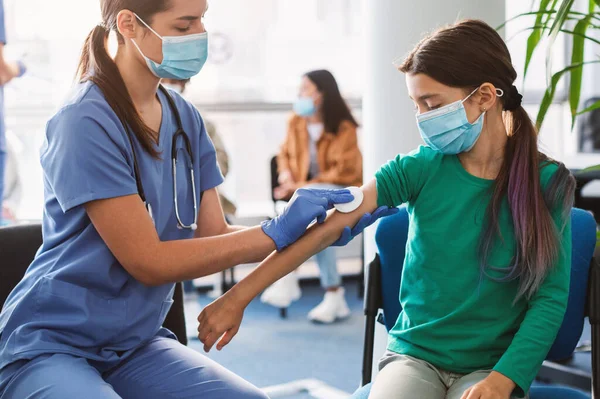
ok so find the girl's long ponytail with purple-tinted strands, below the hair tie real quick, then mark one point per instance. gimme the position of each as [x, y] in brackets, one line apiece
[532, 208]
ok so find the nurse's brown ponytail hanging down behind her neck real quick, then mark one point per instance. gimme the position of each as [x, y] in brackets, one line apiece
[97, 66]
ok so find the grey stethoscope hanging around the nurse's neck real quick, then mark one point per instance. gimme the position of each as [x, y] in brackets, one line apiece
[188, 147]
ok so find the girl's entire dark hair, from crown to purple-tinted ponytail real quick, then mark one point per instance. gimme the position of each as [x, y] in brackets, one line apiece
[466, 55]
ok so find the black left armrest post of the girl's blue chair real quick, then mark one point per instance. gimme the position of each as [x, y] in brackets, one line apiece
[372, 304]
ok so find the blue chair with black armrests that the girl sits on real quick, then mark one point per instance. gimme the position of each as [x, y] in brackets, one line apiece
[383, 285]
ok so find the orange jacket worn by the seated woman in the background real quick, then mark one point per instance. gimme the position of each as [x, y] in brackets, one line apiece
[339, 158]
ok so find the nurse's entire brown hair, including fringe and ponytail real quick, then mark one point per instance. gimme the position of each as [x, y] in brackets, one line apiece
[97, 65]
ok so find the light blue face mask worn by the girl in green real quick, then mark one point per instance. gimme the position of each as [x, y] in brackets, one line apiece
[448, 130]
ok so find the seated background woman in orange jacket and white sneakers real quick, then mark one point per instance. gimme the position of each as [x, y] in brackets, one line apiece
[320, 150]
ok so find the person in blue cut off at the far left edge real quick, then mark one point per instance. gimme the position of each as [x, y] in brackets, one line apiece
[8, 71]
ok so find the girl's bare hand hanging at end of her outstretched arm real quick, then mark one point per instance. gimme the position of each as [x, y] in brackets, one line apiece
[220, 321]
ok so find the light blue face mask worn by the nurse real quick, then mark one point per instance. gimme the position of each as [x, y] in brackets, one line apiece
[183, 56]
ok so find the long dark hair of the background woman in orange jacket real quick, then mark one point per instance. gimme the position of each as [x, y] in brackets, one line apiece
[334, 109]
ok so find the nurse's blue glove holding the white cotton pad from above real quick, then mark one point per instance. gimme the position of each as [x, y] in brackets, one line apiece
[305, 206]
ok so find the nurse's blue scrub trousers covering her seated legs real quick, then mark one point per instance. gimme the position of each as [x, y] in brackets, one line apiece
[162, 368]
